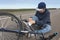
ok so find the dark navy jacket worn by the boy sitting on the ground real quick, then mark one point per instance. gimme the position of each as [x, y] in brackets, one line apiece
[44, 18]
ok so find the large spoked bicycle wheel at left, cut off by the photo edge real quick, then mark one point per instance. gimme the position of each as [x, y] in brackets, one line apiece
[11, 22]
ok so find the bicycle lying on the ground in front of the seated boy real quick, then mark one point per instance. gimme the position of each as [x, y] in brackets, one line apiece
[20, 32]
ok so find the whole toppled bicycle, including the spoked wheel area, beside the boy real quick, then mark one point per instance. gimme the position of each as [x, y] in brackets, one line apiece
[17, 30]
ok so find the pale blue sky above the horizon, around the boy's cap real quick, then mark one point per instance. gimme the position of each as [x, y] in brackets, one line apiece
[22, 4]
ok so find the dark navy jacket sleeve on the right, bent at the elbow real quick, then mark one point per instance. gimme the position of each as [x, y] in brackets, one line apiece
[45, 20]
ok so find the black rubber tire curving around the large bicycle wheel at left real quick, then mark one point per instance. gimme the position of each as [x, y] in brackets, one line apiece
[11, 15]
